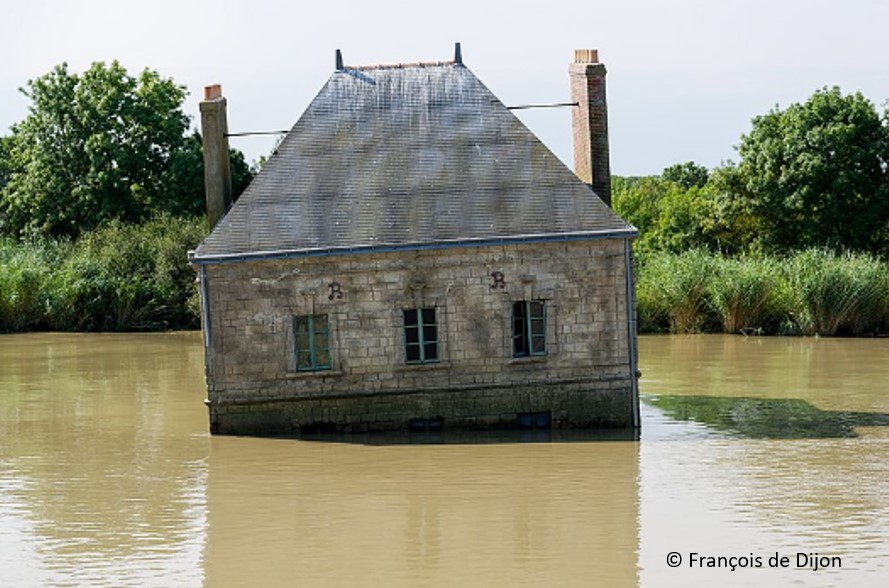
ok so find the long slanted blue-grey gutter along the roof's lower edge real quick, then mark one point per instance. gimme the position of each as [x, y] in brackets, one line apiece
[195, 259]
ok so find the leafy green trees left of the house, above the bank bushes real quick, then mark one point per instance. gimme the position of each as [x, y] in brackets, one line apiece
[98, 147]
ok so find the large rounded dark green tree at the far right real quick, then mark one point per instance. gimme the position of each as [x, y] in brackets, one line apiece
[815, 174]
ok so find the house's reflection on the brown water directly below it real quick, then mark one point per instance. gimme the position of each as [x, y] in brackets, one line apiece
[494, 514]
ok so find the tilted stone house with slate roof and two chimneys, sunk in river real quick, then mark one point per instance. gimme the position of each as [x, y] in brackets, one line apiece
[412, 257]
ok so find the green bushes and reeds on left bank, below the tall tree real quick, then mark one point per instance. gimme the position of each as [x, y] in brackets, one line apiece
[121, 277]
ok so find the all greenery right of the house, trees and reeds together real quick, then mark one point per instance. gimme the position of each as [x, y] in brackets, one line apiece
[792, 240]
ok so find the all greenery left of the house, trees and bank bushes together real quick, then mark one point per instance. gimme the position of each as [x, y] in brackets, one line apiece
[101, 197]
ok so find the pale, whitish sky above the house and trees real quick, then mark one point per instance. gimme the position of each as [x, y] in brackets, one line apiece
[684, 77]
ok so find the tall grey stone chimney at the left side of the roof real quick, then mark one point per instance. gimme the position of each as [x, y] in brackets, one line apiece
[217, 166]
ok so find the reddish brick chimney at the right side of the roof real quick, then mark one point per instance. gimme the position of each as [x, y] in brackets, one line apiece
[590, 122]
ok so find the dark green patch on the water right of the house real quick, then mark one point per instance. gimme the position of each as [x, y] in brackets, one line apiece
[770, 418]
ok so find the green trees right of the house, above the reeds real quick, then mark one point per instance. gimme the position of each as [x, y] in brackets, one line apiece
[813, 175]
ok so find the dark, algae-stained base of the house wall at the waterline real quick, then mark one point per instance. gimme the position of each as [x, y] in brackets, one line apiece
[559, 406]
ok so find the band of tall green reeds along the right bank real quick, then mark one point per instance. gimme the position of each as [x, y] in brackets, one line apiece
[811, 292]
